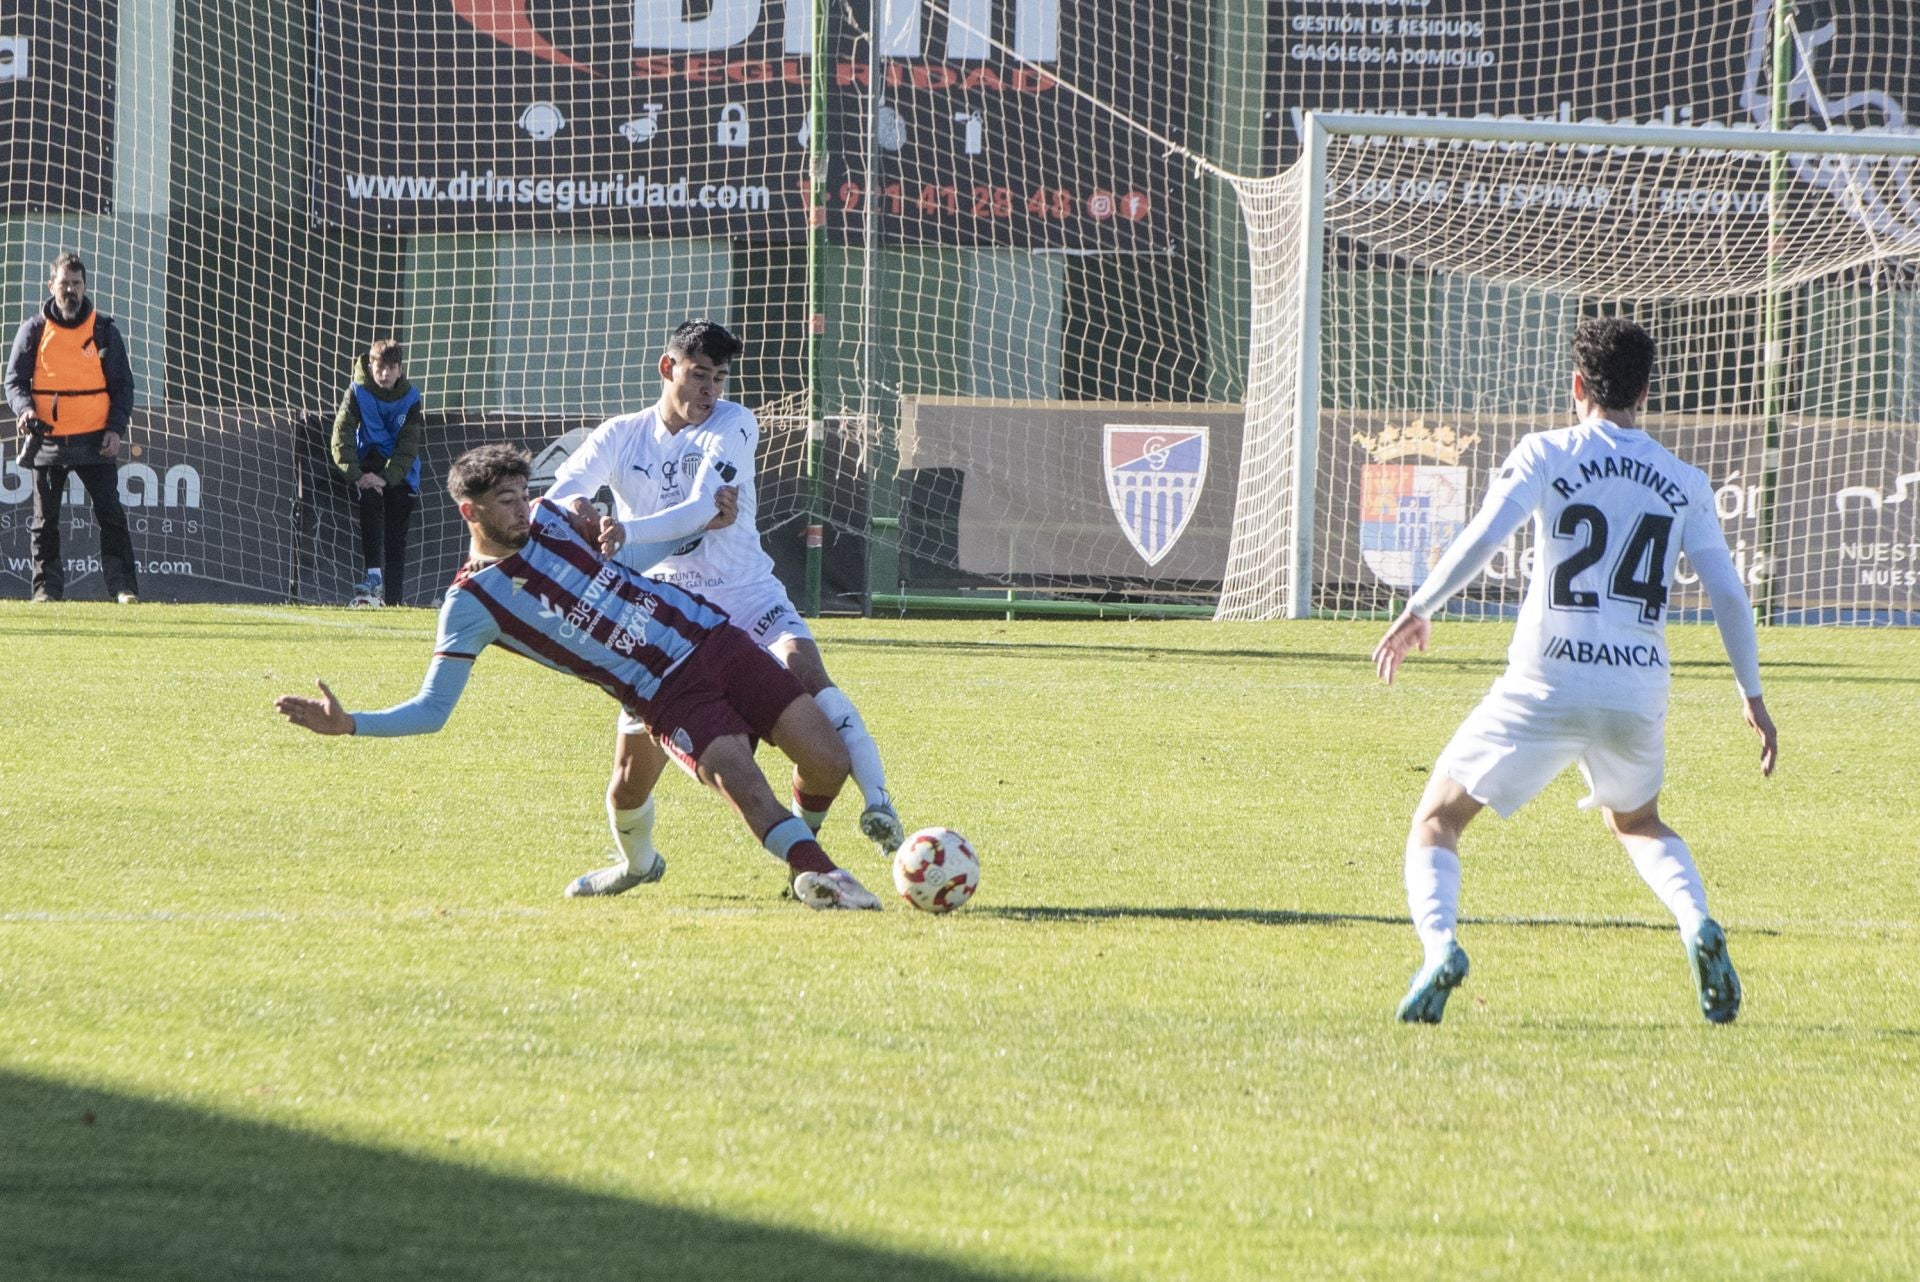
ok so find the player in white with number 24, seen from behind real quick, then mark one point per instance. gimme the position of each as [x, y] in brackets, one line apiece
[1587, 671]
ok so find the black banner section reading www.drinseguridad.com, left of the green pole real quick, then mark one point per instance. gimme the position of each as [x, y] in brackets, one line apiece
[502, 114]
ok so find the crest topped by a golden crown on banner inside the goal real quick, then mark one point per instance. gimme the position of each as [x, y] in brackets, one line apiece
[1412, 500]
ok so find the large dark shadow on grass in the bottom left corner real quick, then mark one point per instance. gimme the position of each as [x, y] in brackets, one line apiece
[101, 1185]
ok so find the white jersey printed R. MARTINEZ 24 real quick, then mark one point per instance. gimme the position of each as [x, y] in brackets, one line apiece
[1612, 513]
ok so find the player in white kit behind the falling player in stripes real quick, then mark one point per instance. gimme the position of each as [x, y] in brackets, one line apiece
[684, 450]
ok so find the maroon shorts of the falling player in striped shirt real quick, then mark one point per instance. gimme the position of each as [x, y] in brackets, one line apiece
[729, 686]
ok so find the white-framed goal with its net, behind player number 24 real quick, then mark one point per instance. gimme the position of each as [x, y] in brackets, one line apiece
[1416, 285]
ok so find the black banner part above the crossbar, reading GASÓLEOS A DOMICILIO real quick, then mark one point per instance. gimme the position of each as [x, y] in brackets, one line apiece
[1596, 62]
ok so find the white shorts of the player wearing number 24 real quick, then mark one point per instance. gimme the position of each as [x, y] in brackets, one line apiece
[1512, 748]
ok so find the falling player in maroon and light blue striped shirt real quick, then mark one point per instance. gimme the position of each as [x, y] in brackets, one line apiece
[537, 586]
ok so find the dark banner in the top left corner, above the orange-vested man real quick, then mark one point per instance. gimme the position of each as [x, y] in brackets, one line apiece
[57, 107]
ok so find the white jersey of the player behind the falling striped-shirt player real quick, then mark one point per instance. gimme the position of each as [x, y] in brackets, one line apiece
[650, 469]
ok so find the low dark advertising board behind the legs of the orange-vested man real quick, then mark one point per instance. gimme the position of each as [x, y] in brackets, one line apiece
[210, 504]
